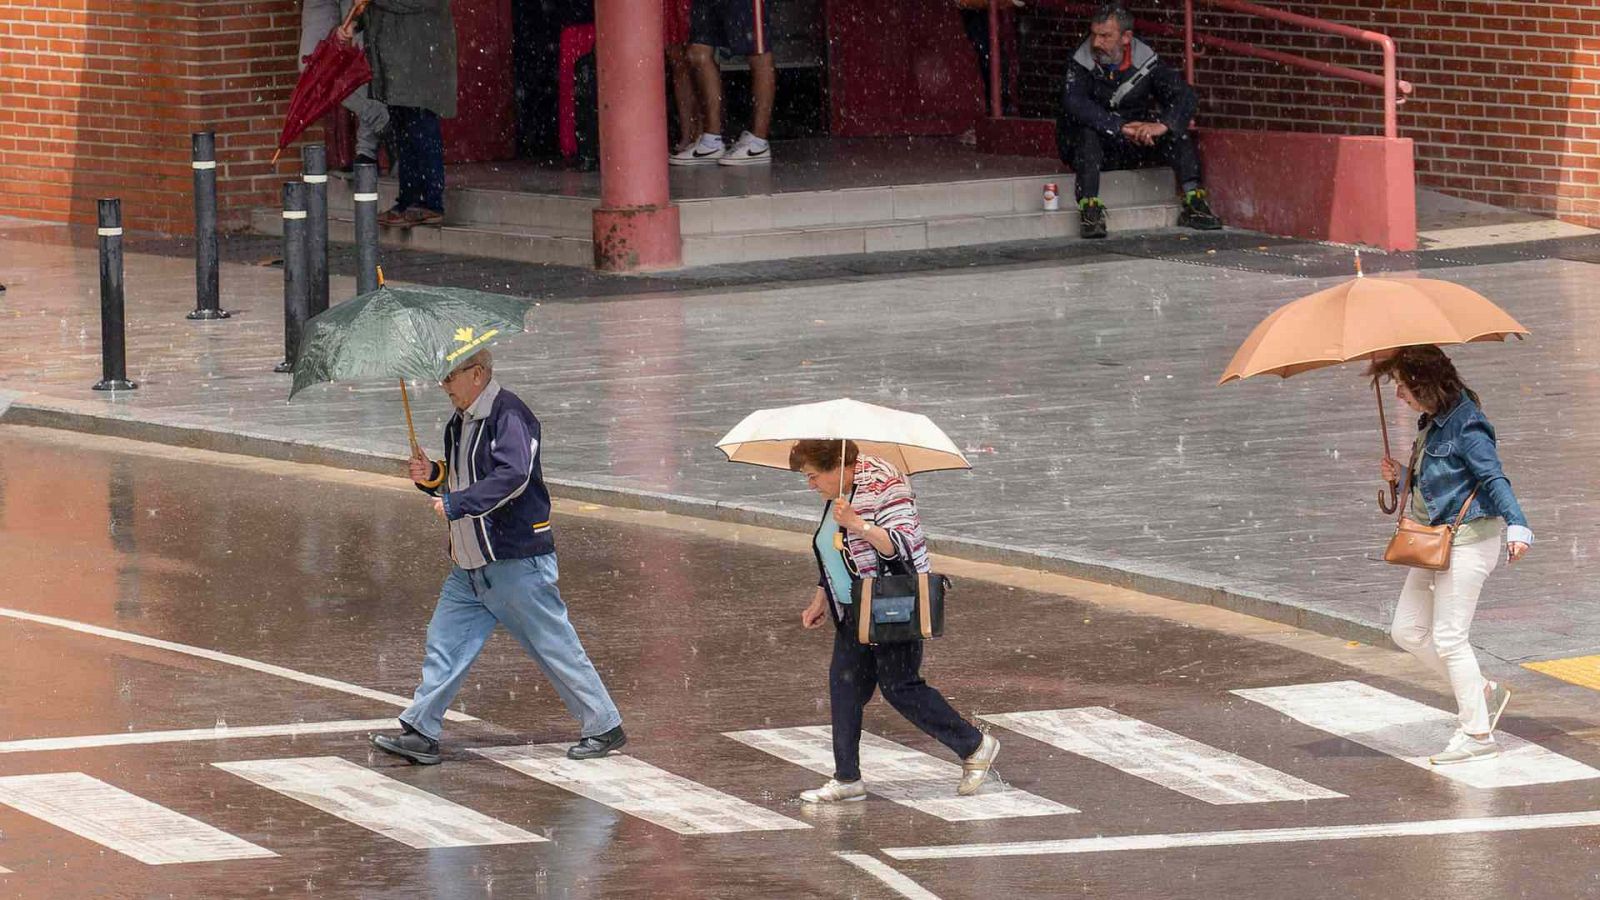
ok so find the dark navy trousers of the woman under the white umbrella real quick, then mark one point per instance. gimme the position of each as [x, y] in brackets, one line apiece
[894, 669]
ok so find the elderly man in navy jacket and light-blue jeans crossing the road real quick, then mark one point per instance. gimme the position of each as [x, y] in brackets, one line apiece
[492, 491]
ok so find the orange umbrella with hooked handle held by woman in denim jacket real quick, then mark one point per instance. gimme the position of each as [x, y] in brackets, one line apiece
[1361, 319]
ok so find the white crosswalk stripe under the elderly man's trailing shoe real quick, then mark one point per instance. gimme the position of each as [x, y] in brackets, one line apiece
[641, 790]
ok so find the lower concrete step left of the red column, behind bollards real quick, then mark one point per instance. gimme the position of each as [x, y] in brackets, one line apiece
[497, 243]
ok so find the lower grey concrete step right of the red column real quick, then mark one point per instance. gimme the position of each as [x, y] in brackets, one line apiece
[902, 235]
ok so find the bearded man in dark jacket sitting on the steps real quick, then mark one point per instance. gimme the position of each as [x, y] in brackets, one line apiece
[1124, 108]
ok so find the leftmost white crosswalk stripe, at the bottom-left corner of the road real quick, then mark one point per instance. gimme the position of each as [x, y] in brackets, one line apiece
[124, 822]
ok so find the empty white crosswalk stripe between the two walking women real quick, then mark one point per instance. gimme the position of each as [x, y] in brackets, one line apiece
[1156, 755]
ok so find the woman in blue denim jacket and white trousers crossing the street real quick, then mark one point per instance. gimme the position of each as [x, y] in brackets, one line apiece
[1455, 457]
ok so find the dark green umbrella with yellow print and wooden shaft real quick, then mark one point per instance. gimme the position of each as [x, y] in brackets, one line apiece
[409, 332]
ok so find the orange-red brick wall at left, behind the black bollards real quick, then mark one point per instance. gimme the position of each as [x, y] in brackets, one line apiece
[98, 98]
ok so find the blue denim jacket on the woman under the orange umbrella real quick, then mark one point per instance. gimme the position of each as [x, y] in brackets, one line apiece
[1460, 456]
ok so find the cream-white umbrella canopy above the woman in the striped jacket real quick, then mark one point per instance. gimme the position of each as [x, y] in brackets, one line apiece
[910, 441]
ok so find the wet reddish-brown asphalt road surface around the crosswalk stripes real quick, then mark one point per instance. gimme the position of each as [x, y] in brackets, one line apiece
[695, 637]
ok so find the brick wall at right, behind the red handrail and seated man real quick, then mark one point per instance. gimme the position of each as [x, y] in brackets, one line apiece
[1506, 106]
